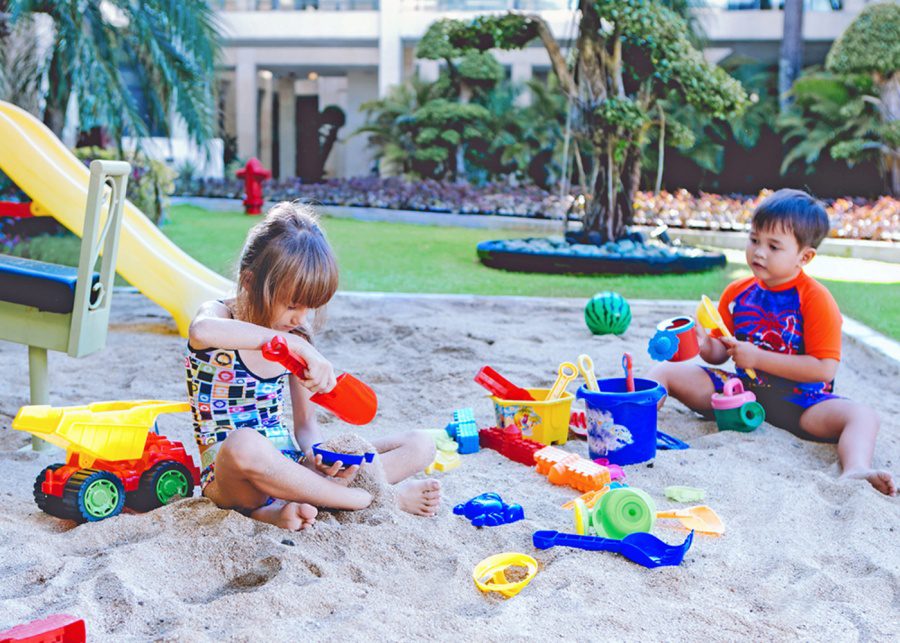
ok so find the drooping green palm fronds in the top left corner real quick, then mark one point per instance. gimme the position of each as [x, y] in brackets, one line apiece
[102, 52]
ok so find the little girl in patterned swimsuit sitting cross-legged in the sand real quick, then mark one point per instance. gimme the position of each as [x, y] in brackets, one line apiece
[250, 459]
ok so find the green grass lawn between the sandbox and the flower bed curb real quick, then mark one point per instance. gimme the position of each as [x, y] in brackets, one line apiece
[397, 257]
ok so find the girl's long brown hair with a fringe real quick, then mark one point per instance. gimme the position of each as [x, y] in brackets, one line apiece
[286, 260]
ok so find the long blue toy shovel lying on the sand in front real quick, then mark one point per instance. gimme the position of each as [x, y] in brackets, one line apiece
[642, 548]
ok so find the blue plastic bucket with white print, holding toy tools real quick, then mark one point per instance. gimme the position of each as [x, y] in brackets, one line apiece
[622, 425]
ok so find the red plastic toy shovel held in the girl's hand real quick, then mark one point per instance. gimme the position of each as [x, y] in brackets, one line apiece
[351, 400]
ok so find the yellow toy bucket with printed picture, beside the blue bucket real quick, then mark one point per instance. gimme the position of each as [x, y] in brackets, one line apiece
[544, 422]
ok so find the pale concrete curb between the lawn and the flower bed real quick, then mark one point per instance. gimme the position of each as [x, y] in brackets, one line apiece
[847, 248]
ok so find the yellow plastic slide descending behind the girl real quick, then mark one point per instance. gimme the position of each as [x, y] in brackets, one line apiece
[38, 162]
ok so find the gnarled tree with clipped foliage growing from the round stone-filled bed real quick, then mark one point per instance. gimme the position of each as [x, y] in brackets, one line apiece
[630, 55]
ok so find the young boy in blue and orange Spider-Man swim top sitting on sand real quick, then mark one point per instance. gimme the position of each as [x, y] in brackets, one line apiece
[787, 328]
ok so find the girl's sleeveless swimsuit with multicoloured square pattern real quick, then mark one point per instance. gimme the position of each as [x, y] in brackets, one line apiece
[226, 395]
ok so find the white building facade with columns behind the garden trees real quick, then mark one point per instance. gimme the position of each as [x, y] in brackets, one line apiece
[286, 60]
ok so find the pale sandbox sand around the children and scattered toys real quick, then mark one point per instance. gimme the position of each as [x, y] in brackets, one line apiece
[804, 557]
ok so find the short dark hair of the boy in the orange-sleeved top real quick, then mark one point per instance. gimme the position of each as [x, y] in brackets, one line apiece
[795, 211]
